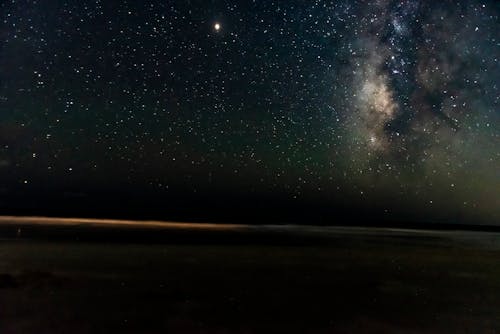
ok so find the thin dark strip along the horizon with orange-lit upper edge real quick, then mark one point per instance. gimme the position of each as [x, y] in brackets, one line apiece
[72, 228]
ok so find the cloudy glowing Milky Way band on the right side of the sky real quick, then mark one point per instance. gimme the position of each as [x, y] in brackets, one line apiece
[427, 101]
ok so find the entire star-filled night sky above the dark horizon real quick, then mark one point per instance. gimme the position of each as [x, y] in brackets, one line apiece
[327, 110]
